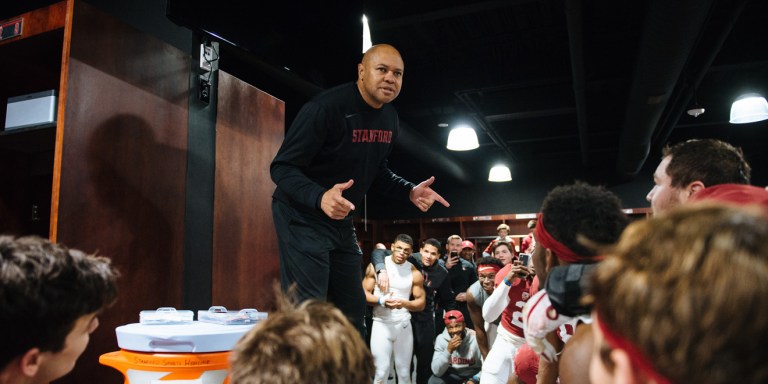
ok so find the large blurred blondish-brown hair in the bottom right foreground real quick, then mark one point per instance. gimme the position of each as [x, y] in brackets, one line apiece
[688, 289]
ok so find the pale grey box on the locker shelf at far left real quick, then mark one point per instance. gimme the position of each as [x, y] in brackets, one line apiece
[31, 110]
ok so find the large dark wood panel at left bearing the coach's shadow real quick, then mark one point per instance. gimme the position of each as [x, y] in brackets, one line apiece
[123, 165]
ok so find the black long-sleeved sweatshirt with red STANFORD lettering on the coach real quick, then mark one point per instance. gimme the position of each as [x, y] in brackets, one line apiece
[335, 137]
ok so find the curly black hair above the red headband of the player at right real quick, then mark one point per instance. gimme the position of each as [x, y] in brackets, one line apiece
[583, 210]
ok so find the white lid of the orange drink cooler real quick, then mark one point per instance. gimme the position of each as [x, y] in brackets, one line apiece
[195, 337]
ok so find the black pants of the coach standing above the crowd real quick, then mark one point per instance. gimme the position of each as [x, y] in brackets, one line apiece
[322, 258]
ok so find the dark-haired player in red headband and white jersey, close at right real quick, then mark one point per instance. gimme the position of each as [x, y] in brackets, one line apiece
[573, 220]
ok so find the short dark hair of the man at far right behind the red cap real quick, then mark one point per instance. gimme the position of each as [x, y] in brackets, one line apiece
[711, 161]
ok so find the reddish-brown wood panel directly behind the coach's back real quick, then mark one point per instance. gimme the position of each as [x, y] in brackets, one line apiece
[249, 131]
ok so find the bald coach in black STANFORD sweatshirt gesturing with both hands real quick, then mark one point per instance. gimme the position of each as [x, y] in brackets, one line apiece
[334, 152]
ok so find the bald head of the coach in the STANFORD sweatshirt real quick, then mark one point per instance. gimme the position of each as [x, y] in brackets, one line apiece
[380, 75]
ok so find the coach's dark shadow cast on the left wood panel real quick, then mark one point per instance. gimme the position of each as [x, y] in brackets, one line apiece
[124, 211]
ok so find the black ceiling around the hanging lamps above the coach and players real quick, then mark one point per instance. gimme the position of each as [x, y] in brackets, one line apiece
[594, 87]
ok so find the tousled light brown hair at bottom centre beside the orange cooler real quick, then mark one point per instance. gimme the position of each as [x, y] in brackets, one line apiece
[309, 343]
